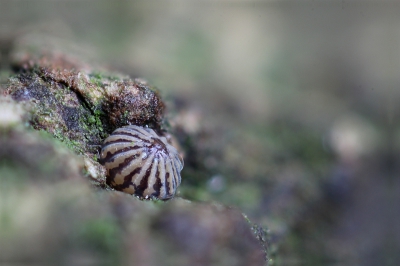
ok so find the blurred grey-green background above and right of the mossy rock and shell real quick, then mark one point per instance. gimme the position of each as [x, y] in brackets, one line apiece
[286, 110]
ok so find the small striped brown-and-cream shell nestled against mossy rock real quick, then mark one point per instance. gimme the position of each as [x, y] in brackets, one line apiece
[141, 162]
